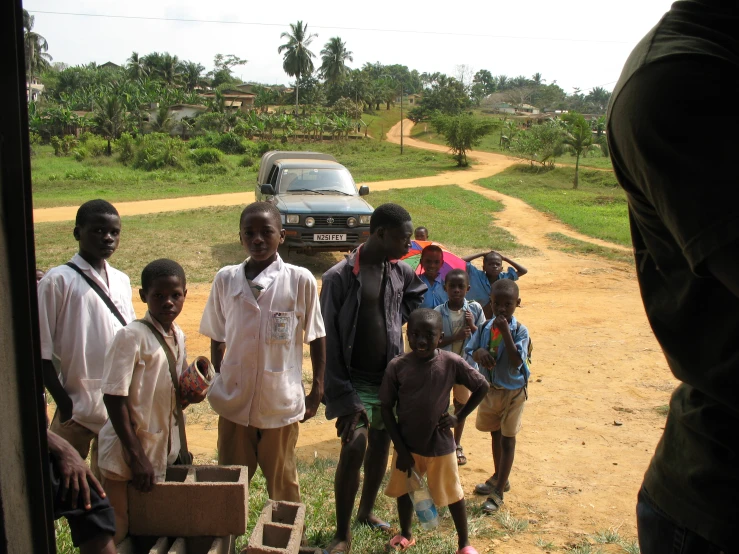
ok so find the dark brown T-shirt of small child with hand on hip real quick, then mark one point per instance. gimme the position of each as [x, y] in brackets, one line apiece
[419, 392]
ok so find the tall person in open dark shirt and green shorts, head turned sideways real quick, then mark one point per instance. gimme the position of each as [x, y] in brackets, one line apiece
[364, 307]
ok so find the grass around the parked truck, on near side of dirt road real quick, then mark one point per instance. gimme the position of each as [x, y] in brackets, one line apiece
[207, 239]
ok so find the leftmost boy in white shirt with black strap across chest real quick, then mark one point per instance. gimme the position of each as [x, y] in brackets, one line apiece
[81, 307]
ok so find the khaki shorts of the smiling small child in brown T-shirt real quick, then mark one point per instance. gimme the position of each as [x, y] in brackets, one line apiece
[443, 478]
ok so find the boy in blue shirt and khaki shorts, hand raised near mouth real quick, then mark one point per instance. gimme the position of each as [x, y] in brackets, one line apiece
[500, 348]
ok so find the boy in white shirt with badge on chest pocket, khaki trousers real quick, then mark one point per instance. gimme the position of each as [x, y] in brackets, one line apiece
[258, 316]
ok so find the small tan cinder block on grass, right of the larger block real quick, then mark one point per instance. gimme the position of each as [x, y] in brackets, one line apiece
[278, 530]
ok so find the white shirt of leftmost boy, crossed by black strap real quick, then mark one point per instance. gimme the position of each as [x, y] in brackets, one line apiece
[76, 327]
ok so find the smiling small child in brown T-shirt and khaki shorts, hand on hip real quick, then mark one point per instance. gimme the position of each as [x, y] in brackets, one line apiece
[416, 386]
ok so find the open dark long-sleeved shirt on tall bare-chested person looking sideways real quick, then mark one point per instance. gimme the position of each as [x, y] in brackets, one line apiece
[340, 298]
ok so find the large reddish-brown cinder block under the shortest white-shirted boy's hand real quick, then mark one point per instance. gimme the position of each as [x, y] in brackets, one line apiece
[193, 501]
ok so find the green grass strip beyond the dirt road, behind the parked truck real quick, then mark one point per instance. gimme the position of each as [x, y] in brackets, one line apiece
[62, 181]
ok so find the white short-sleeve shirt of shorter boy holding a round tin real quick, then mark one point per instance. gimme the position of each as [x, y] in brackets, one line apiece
[137, 367]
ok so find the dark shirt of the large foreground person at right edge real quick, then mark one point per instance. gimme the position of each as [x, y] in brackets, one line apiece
[674, 146]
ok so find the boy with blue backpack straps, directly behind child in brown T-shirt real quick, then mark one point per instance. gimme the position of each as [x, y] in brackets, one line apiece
[460, 319]
